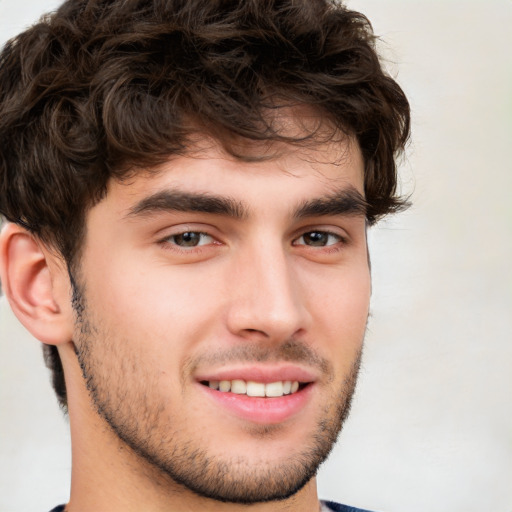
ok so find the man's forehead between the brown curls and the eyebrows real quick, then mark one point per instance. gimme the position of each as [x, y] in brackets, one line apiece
[277, 170]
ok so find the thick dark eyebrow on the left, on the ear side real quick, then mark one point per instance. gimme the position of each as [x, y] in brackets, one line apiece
[179, 201]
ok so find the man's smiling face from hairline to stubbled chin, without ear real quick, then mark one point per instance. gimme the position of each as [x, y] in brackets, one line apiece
[212, 283]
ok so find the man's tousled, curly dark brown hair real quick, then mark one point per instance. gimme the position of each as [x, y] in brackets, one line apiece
[101, 88]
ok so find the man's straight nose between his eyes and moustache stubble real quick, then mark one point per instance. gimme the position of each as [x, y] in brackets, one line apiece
[267, 302]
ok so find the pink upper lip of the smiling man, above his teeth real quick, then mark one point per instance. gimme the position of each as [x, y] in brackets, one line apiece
[259, 373]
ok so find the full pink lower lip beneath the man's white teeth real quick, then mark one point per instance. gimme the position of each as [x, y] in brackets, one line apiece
[267, 411]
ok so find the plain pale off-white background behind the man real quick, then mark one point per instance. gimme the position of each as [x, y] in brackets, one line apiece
[431, 428]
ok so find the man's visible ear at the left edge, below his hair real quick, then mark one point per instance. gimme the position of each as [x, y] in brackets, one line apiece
[36, 283]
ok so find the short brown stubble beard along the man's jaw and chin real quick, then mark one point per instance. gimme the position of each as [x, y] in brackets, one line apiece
[147, 428]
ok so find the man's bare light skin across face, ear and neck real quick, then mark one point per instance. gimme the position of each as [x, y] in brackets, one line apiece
[264, 290]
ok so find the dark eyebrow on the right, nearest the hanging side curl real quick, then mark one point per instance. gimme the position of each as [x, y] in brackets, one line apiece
[347, 201]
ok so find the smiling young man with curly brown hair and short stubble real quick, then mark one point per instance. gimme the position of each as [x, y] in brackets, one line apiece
[188, 187]
